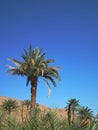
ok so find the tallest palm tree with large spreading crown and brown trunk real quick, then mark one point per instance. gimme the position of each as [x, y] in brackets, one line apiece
[33, 66]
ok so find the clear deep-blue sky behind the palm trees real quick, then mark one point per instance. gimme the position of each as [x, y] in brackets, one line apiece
[67, 30]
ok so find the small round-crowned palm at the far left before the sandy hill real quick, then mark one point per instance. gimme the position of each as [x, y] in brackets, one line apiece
[9, 105]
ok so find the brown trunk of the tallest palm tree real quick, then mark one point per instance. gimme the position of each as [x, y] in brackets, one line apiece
[33, 92]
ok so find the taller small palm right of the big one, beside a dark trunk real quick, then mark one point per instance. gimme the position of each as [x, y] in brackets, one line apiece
[73, 106]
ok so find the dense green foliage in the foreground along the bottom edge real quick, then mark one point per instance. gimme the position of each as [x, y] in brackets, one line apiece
[37, 120]
